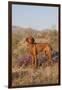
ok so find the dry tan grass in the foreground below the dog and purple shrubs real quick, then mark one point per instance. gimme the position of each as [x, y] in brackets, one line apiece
[41, 75]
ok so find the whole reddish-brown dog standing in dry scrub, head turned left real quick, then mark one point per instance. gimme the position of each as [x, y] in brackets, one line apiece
[35, 48]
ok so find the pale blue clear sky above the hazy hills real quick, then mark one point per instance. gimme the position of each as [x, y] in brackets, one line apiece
[36, 17]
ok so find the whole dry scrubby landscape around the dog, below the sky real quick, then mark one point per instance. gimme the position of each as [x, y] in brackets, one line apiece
[22, 71]
